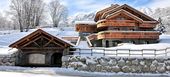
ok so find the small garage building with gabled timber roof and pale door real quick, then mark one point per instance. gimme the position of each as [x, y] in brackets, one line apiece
[41, 49]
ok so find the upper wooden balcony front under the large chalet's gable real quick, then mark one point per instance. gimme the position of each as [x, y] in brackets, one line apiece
[116, 23]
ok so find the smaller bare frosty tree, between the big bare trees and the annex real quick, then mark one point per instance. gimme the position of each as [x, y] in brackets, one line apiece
[57, 12]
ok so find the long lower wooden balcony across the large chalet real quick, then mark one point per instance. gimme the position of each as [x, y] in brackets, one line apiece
[128, 35]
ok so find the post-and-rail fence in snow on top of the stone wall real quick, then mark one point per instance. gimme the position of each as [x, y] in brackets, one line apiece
[123, 52]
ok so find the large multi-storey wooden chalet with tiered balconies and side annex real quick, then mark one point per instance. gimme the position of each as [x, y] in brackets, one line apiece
[119, 24]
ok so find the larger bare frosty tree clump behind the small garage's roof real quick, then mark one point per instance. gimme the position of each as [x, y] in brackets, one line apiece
[28, 13]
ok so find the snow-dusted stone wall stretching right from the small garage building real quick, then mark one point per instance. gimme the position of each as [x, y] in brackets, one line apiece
[117, 64]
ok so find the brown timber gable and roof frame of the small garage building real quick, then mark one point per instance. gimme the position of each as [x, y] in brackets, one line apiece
[39, 35]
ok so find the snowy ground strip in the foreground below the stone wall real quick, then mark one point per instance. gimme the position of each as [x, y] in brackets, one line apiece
[6, 71]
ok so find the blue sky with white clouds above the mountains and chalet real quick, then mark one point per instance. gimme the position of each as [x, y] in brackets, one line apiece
[85, 6]
